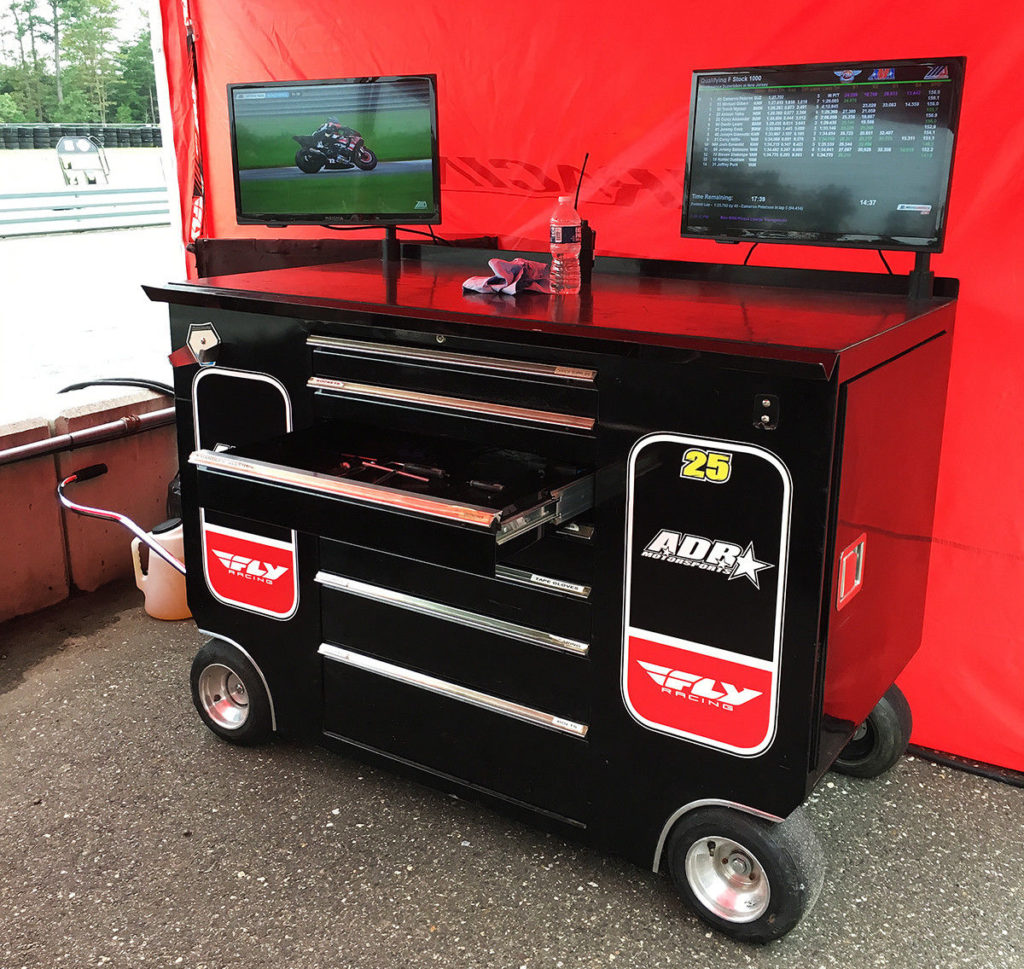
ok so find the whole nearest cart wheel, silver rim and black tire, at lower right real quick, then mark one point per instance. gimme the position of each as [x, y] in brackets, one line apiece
[750, 878]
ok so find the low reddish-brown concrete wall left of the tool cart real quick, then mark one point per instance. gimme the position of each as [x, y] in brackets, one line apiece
[54, 551]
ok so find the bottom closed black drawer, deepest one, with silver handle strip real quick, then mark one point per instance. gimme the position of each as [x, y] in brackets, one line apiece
[532, 756]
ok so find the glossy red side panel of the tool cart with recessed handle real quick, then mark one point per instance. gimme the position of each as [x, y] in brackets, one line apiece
[883, 533]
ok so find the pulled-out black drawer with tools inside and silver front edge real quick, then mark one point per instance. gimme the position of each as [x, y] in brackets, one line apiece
[430, 498]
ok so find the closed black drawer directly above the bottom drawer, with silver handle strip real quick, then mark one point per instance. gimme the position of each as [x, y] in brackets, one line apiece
[517, 663]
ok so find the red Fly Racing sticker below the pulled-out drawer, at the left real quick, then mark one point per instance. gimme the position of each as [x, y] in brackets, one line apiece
[251, 572]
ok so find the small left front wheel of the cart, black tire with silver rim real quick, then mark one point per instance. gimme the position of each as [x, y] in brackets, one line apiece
[230, 695]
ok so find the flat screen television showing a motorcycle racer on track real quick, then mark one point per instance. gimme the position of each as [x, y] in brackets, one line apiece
[356, 151]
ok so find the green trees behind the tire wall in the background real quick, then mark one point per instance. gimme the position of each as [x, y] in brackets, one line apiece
[101, 78]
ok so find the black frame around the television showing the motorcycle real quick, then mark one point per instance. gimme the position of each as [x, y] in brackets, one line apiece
[356, 220]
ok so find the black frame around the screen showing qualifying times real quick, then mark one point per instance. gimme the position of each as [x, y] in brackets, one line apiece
[958, 67]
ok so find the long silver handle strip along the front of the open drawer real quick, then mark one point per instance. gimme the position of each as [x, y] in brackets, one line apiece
[328, 485]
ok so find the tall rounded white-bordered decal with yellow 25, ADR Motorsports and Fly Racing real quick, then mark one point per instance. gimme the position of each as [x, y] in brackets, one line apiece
[705, 591]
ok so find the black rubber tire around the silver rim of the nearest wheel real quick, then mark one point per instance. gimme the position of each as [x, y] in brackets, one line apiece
[789, 853]
